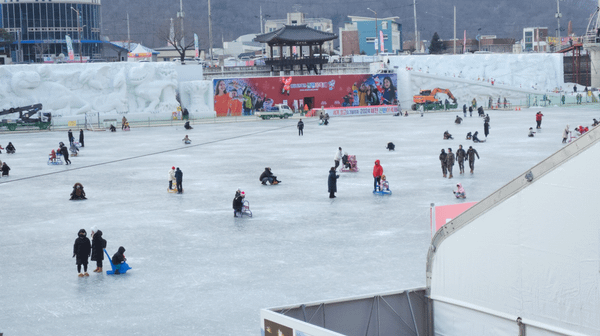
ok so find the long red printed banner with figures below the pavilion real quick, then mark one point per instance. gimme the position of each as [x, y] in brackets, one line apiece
[244, 96]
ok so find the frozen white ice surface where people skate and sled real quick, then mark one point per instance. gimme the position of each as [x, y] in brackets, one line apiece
[196, 268]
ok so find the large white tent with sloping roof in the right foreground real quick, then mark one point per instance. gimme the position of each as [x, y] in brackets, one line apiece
[534, 255]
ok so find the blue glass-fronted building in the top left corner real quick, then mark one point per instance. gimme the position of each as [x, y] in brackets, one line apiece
[40, 28]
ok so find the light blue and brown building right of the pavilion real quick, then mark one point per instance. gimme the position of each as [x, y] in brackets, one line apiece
[359, 35]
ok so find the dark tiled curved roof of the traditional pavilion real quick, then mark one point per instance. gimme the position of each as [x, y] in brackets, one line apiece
[300, 34]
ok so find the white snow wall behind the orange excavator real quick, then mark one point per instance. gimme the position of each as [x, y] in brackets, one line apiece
[470, 76]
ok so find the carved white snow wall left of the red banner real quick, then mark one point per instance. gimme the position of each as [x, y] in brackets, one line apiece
[68, 90]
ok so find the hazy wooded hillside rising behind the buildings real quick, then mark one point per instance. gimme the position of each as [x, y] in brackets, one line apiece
[232, 18]
